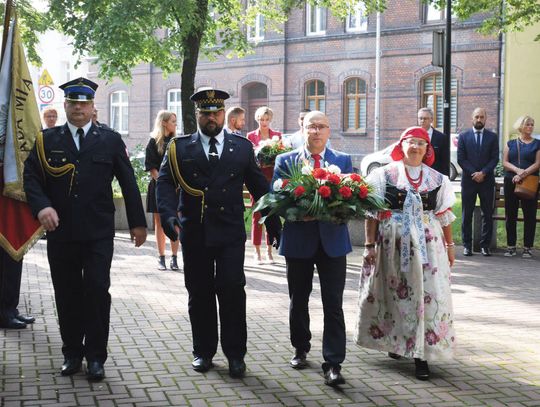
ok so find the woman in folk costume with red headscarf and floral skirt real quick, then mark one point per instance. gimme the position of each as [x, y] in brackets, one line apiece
[405, 305]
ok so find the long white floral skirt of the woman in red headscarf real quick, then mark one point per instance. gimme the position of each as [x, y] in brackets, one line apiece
[407, 313]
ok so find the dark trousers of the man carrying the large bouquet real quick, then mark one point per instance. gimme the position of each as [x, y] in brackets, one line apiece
[332, 272]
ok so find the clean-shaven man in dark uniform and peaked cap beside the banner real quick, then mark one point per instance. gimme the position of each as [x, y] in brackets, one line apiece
[67, 179]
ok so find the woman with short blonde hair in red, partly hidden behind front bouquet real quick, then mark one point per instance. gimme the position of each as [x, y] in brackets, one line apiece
[263, 116]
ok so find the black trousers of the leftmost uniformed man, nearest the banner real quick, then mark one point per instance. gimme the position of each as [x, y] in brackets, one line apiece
[80, 274]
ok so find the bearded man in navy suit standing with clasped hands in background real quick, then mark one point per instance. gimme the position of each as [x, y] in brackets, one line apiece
[478, 155]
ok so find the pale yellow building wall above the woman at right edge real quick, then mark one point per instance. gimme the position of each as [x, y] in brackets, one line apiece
[522, 78]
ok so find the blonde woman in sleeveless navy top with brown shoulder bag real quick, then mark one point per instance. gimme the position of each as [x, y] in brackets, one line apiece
[521, 157]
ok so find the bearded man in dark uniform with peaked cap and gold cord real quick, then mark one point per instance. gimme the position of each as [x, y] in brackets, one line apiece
[210, 168]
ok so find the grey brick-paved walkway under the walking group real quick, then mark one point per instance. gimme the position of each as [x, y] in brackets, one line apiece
[497, 306]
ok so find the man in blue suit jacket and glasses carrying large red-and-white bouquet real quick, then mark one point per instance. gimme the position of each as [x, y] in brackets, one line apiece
[312, 243]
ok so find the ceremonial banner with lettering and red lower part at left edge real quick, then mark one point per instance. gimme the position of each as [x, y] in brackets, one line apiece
[19, 124]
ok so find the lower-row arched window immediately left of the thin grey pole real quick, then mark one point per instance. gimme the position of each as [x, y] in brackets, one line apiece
[355, 114]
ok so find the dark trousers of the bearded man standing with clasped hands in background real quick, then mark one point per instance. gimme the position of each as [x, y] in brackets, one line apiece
[486, 192]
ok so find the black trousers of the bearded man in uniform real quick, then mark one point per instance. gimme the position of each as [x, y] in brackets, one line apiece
[211, 272]
